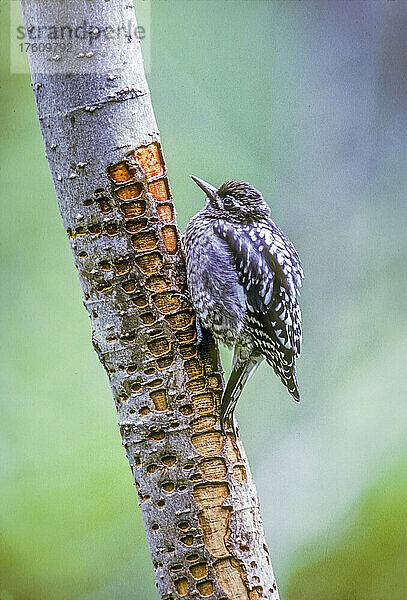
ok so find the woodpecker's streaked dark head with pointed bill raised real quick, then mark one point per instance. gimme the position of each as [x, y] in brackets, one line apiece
[234, 200]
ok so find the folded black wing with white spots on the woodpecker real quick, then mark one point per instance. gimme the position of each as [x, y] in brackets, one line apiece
[270, 274]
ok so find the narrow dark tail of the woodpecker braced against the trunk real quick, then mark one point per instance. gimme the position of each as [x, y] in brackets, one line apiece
[241, 373]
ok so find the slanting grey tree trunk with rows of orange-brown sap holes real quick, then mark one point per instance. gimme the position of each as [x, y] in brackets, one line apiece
[195, 489]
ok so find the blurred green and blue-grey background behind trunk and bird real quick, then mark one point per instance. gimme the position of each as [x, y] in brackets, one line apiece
[307, 101]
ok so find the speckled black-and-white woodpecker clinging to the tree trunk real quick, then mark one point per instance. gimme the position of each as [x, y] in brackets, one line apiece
[244, 277]
